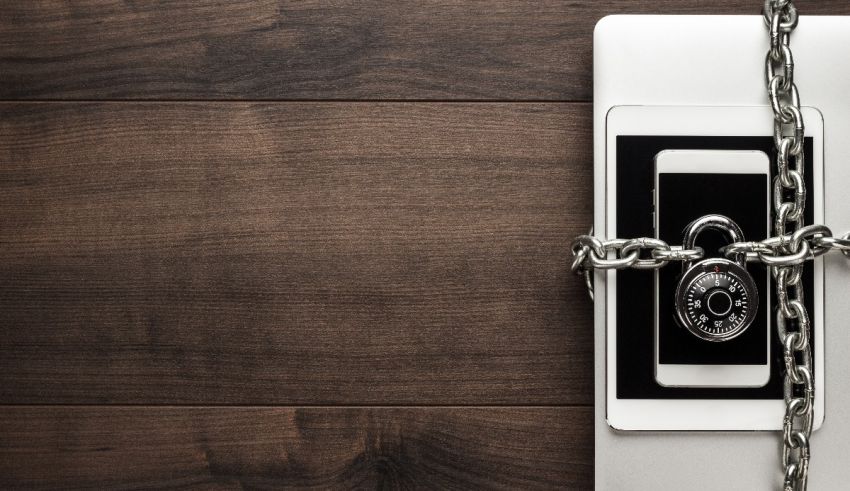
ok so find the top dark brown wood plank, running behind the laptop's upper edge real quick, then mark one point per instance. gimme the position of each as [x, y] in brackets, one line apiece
[275, 49]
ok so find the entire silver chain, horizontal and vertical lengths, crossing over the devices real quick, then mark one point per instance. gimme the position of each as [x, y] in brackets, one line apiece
[794, 244]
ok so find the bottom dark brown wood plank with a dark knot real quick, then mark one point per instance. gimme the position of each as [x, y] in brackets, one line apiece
[316, 448]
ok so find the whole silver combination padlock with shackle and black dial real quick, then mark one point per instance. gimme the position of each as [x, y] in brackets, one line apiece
[716, 299]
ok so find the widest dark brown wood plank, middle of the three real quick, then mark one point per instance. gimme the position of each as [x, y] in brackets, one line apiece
[293, 253]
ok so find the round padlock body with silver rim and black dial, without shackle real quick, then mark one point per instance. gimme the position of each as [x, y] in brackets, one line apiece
[717, 300]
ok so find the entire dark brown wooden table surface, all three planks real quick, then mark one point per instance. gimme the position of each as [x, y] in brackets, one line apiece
[309, 244]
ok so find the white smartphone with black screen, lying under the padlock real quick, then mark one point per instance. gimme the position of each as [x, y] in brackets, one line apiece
[688, 185]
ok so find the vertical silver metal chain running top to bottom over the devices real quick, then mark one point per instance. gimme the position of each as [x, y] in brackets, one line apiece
[792, 320]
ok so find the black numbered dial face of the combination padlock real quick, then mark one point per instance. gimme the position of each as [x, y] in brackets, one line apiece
[717, 303]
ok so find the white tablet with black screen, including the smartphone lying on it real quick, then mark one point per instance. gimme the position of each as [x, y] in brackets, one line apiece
[664, 161]
